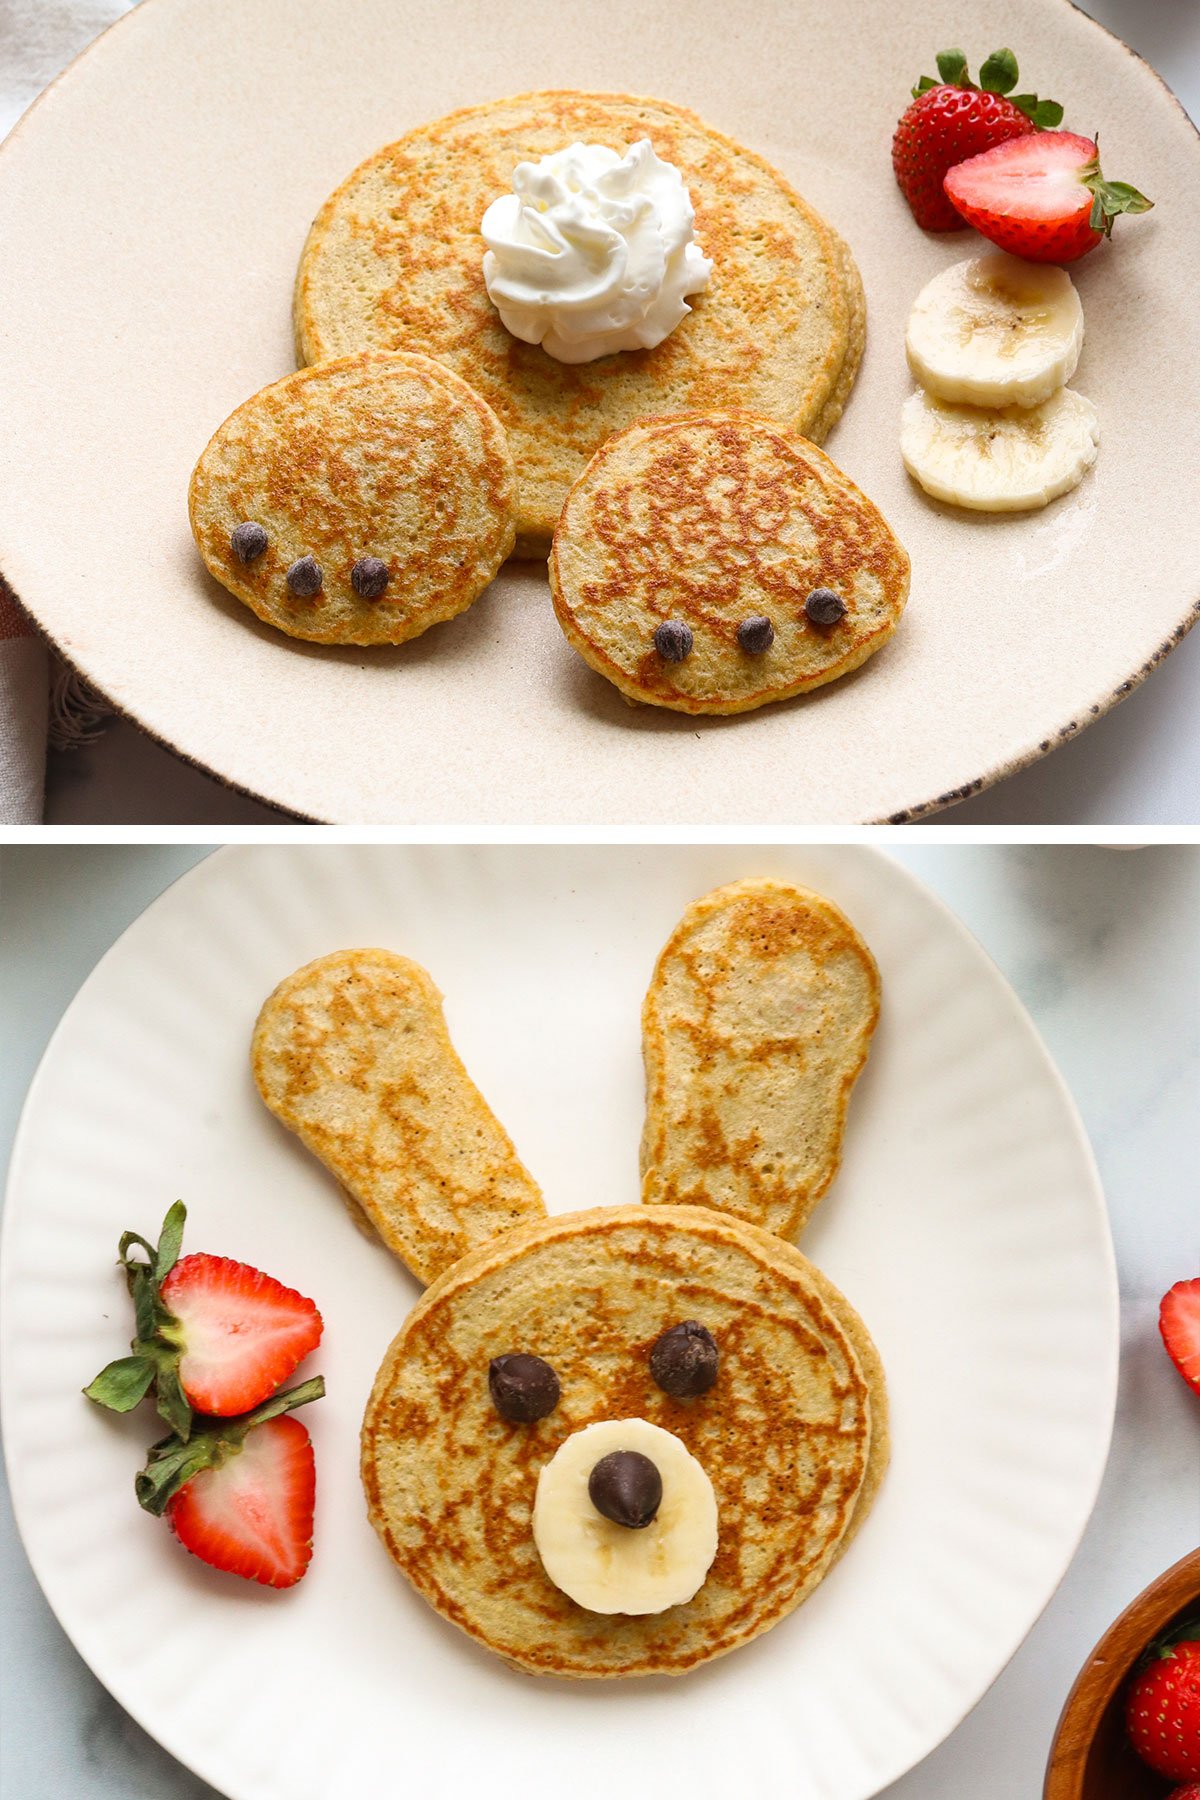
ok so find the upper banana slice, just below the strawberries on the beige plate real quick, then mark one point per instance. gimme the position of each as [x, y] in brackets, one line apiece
[996, 332]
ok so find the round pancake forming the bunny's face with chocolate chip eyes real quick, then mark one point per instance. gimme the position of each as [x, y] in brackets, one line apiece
[794, 1434]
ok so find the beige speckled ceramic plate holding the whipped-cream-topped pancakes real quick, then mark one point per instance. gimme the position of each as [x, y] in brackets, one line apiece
[152, 211]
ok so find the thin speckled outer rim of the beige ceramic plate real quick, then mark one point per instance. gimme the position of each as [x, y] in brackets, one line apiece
[1037, 750]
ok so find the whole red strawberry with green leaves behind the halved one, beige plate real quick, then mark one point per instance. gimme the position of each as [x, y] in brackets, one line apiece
[954, 120]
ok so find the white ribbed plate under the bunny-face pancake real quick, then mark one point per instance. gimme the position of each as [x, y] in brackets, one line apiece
[967, 1225]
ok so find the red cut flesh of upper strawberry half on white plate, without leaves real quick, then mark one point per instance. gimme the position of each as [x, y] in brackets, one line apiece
[244, 1333]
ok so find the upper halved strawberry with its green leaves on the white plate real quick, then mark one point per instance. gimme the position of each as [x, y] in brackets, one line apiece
[211, 1333]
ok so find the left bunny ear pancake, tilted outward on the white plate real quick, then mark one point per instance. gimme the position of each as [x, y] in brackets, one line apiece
[352, 1054]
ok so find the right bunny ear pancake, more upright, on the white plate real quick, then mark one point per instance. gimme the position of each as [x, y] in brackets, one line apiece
[755, 1030]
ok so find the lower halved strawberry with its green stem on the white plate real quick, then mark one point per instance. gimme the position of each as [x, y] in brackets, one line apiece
[240, 1495]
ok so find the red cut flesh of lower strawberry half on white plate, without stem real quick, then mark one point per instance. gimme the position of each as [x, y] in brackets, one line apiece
[255, 1515]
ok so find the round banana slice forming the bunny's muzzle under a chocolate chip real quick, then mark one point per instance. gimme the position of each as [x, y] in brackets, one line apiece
[613, 1569]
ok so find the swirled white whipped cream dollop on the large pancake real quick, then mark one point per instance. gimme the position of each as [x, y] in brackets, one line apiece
[593, 251]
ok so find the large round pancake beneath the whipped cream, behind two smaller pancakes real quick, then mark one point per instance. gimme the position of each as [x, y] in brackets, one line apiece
[395, 262]
